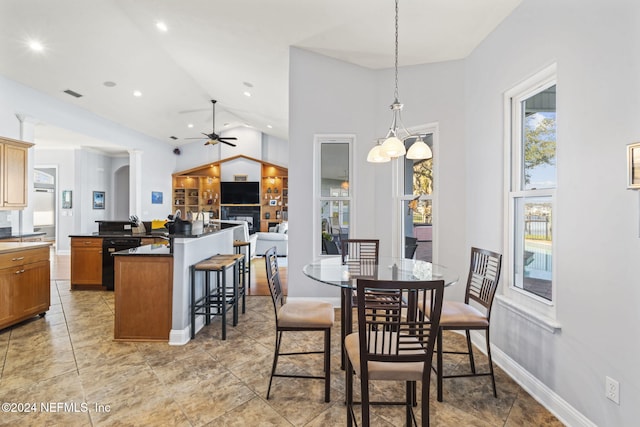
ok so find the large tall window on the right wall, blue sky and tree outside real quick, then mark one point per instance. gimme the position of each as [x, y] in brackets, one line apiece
[531, 196]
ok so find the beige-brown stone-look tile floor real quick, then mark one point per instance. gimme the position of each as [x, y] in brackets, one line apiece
[68, 358]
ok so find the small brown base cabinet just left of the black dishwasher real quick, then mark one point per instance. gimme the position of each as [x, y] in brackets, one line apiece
[86, 262]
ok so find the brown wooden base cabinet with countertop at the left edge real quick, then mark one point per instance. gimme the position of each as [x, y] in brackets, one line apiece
[24, 282]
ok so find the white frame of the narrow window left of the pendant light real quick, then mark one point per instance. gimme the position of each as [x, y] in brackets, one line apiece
[318, 141]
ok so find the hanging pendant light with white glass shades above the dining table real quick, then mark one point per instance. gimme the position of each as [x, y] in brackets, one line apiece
[393, 145]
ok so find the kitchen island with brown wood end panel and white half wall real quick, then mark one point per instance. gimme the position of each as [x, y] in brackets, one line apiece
[152, 289]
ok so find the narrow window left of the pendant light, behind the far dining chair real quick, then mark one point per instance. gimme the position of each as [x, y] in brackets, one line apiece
[335, 188]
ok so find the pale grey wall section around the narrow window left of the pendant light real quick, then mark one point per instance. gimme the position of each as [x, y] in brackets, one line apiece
[326, 96]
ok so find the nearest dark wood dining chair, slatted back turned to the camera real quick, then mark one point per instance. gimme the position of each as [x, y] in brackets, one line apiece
[394, 342]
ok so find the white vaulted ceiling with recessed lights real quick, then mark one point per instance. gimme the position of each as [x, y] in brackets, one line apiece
[105, 50]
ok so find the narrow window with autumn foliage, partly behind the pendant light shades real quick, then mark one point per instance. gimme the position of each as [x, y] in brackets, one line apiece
[417, 204]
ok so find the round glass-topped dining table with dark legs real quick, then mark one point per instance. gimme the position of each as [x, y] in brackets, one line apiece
[331, 271]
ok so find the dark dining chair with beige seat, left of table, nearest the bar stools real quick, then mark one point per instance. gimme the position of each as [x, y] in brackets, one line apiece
[298, 316]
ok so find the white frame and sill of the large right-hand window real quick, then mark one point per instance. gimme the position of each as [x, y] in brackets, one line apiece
[524, 301]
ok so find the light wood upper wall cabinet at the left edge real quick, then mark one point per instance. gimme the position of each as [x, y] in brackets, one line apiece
[14, 157]
